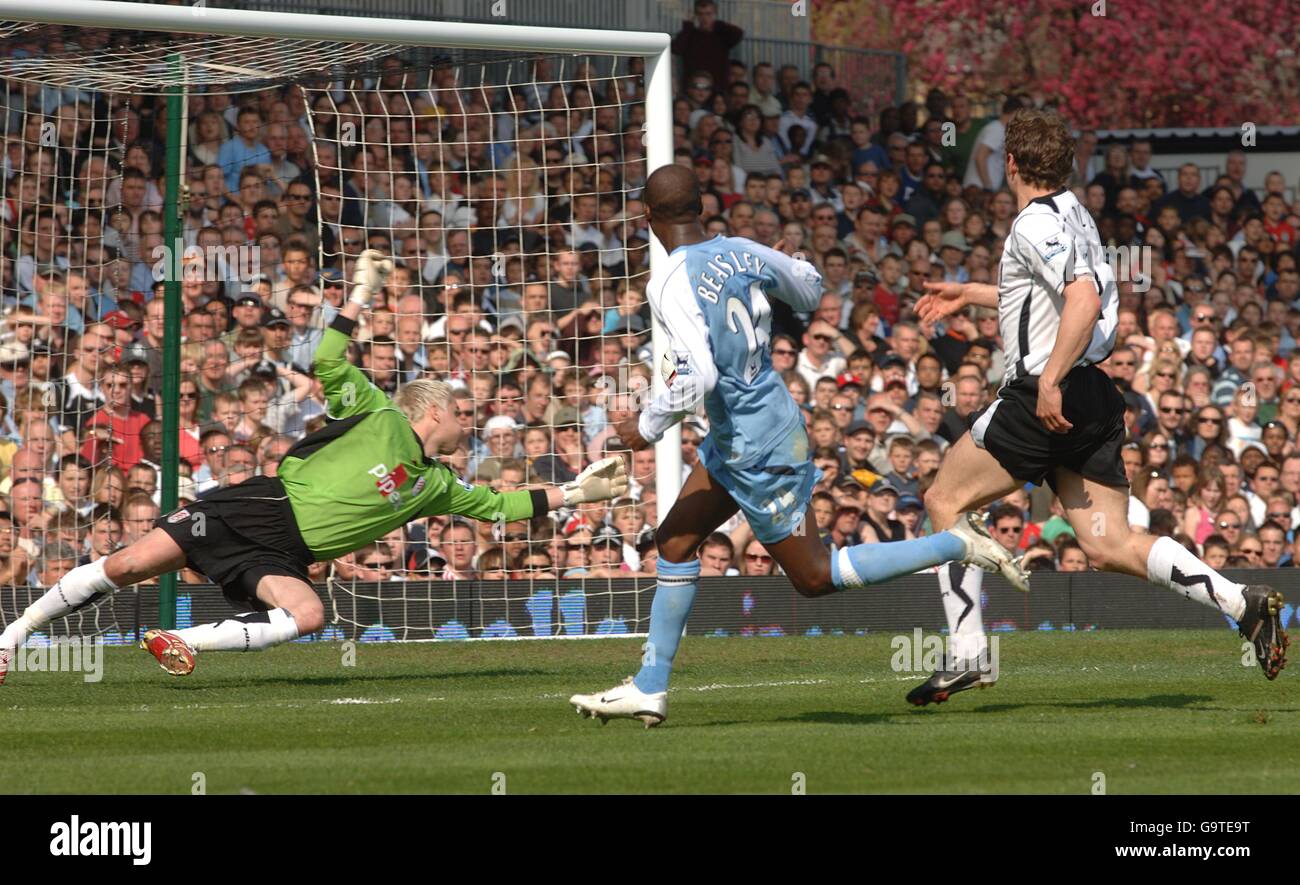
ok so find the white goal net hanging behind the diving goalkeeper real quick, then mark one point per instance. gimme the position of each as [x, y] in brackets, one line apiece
[502, 171]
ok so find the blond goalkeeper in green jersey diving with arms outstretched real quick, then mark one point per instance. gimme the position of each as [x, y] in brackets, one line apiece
[370, 471]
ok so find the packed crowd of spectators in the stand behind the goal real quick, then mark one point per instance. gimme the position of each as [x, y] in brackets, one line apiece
[522, 261]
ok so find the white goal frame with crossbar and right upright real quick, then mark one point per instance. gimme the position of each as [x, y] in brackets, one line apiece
[201, 20]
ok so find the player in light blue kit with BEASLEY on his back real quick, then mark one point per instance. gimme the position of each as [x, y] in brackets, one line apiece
[712, 298]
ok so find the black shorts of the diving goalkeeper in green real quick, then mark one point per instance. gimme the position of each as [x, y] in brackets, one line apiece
[240, 535]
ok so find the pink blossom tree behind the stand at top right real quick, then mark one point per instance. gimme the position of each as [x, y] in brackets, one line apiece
[1111, 64]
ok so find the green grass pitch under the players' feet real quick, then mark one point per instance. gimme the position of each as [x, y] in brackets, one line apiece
[1154, 712]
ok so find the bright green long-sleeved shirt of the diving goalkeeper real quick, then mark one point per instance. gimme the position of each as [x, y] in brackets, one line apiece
[366, 474]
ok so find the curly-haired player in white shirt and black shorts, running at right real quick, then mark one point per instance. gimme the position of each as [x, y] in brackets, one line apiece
[1059, 418]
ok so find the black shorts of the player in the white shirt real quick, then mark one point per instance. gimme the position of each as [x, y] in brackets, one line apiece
[1009, 431]
